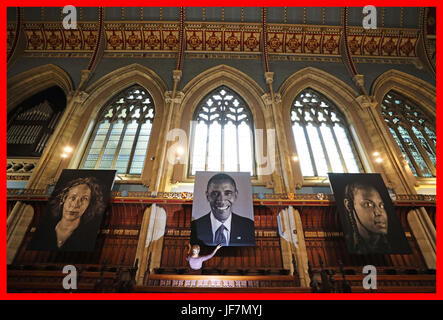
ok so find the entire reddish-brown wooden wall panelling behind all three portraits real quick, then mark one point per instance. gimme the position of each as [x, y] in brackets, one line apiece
[117, 241]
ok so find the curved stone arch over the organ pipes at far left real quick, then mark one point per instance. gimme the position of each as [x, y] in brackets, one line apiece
[31, 82]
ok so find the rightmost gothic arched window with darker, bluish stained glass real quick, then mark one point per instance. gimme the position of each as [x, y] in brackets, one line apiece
[413, 131]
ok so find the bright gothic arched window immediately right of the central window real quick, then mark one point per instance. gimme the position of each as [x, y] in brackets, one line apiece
[322, 136]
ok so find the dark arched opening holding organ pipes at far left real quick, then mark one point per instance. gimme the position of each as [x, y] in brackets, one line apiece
[32, 123]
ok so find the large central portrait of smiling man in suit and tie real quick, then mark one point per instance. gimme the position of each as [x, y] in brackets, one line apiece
[222, 211]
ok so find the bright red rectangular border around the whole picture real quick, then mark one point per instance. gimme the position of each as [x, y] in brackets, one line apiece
[201, 296]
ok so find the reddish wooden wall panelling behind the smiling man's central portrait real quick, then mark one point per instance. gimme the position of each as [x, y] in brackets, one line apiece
[266, 253]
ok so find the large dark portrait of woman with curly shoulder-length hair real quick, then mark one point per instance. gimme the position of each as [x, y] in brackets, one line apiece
[74, 211]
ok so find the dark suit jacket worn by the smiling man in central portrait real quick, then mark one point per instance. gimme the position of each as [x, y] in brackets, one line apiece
[242, 231]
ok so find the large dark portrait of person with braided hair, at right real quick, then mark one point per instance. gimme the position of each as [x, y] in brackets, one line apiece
[368, 218]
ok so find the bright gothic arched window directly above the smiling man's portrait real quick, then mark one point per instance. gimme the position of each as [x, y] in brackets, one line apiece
[222, 134]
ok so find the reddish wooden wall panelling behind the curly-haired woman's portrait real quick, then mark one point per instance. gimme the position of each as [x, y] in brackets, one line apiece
[115, 246]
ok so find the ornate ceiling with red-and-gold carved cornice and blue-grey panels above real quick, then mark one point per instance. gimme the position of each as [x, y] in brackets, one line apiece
[218, 32]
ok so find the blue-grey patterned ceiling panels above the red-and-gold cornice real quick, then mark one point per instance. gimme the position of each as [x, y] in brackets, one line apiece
[390, 17]
